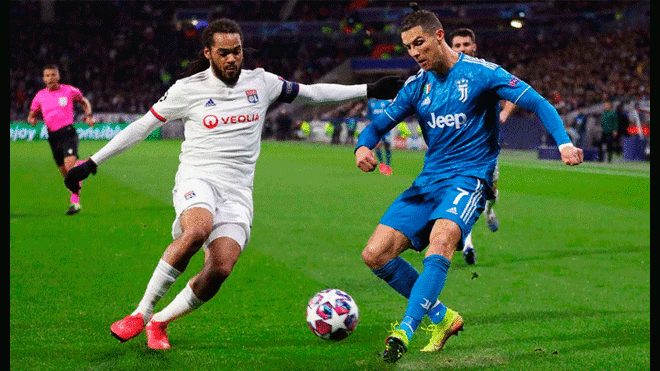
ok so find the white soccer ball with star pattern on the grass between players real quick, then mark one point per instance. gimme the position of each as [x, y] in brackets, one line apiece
[332, 314]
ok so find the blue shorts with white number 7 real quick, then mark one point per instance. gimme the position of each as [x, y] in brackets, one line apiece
[460, 199]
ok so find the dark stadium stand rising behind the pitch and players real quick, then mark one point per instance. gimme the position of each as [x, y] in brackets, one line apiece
[124, 54]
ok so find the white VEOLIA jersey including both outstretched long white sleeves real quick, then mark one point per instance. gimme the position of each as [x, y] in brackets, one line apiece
[222, 124]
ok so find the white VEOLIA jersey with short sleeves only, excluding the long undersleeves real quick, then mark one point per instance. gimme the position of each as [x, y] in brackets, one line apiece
[222, 124]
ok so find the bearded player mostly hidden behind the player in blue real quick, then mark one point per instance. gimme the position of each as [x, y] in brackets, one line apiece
[462, 40]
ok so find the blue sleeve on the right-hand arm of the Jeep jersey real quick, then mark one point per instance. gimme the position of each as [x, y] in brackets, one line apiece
[509, 87]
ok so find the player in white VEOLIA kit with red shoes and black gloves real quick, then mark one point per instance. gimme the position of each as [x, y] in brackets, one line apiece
[223, 108]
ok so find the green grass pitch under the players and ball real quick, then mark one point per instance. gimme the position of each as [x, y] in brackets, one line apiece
[564, 284]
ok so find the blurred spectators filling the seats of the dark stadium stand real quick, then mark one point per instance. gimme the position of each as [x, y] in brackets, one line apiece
[123, 55]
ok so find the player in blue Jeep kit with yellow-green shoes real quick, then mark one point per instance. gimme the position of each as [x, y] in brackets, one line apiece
[456, 100]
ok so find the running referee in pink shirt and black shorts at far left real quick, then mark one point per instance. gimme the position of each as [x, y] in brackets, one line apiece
[55, 105]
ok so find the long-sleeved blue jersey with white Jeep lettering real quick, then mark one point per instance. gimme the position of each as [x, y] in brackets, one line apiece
[458, 113]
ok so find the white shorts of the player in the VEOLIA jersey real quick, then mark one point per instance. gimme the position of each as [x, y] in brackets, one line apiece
[231, 206]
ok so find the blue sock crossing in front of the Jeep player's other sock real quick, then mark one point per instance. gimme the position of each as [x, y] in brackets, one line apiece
[425, 291]
